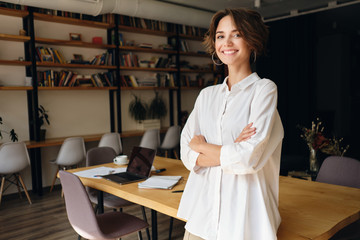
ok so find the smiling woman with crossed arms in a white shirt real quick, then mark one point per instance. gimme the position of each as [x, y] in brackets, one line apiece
[232, 190]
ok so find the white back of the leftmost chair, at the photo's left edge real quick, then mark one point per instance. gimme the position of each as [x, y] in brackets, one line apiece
[14, 157]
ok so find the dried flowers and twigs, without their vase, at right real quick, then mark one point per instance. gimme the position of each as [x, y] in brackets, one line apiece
[315, 139]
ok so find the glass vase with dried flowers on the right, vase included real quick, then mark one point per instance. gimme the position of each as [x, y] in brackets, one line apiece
[316, 140]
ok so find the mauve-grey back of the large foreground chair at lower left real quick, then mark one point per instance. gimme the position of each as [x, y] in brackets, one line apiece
[78, 207]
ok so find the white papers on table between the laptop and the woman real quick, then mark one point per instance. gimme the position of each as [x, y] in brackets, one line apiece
[160, 182]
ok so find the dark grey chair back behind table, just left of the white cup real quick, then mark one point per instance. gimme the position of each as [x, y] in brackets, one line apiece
[100, 155]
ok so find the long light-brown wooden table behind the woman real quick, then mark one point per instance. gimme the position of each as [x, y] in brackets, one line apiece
[309, 210]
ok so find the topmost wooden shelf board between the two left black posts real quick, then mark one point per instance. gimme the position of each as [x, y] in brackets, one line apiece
[72, 21]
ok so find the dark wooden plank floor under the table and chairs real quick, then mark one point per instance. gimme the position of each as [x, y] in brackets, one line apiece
[46, 219]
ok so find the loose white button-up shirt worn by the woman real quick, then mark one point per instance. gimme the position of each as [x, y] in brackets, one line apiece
[238, 199]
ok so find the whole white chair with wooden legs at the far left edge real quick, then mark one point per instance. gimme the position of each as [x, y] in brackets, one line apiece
[14, 158]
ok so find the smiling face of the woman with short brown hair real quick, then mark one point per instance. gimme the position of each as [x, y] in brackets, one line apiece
[230, 47]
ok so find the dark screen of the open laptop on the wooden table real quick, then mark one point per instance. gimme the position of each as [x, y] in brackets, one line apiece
[141, 160]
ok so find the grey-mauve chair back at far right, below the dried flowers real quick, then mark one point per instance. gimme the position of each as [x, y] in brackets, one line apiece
[340, 171]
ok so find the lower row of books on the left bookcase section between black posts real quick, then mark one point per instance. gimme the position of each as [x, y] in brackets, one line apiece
[65, 78]
